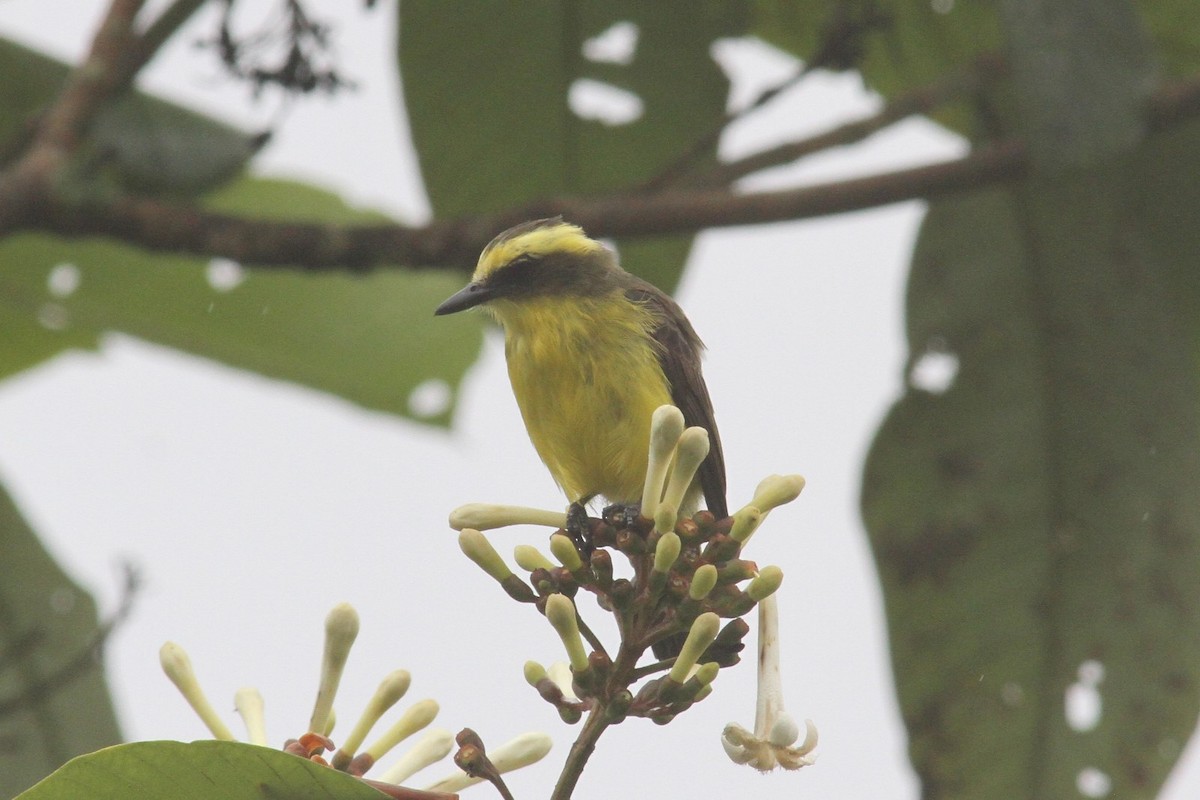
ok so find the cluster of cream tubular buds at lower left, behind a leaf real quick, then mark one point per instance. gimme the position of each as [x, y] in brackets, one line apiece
[341, 630]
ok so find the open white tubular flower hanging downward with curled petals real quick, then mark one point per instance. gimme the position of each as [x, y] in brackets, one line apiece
[773, 742]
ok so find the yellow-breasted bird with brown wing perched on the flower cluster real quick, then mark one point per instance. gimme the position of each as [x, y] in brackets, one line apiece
[592, 352]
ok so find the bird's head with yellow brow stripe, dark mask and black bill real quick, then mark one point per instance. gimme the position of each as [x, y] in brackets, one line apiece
[537, 260]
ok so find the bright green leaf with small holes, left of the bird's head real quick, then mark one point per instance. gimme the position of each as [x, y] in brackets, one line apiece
[367, 339]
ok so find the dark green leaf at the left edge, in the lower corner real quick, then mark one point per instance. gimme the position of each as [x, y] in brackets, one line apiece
[55, 701]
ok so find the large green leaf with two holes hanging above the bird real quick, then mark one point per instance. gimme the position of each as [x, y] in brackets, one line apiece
[488, 86]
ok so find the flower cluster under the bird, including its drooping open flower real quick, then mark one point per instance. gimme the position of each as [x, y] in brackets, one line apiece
[688, 575]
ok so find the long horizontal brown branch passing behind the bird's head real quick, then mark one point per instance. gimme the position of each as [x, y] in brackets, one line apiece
[164, 226]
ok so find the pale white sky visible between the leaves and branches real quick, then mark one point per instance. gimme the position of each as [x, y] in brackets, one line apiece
[253, 507]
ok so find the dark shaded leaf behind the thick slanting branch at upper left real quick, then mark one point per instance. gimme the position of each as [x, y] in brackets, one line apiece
[141, 142]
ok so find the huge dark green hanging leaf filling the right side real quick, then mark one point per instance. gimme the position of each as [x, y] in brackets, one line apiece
[1037, 525]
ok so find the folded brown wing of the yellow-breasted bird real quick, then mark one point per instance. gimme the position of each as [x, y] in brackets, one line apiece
[680, 356]
